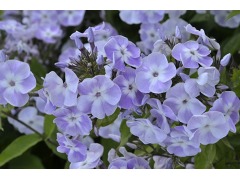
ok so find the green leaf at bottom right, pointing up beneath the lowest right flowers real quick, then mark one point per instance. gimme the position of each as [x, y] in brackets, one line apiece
[204, 160]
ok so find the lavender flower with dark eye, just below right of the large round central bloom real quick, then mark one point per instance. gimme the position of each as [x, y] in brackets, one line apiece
[183, 106]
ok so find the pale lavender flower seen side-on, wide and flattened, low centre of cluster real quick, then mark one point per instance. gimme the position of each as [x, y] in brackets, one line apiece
[146, 131]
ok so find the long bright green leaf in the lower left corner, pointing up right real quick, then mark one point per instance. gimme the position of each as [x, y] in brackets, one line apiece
[18, 147]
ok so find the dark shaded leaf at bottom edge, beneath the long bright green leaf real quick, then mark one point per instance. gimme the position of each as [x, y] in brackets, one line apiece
[26, 161]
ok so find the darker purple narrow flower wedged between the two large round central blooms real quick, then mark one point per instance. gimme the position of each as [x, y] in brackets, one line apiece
[131, 96]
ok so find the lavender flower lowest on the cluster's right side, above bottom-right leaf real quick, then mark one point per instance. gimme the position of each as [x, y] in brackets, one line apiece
[180, 144]
